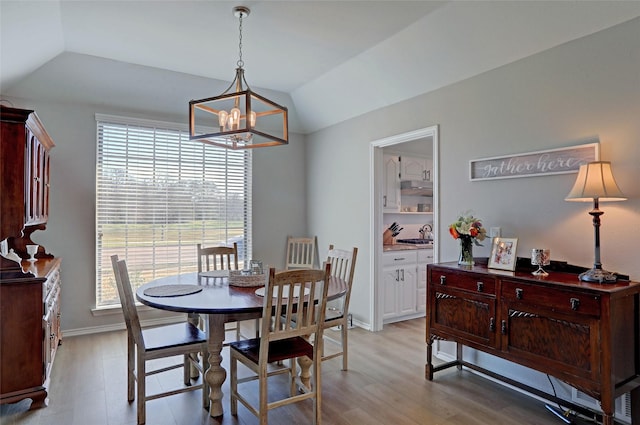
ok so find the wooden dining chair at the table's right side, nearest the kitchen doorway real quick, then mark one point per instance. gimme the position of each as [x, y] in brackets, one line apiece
[343, 264]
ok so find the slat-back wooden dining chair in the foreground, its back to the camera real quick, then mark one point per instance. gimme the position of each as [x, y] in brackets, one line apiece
[285, 340]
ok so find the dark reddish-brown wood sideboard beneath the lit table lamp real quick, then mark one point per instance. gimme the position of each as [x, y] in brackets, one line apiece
[585, 334]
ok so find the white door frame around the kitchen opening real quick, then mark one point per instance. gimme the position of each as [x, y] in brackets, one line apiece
[376, 214]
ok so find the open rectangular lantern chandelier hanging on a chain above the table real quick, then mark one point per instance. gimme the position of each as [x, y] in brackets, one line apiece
[239, 118]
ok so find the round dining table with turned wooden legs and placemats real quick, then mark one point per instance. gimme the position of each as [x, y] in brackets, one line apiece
[222, 303]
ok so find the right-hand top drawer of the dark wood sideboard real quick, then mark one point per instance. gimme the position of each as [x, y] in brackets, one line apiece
[555, 299]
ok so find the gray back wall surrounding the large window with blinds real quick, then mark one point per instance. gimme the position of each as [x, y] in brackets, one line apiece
[278, 205]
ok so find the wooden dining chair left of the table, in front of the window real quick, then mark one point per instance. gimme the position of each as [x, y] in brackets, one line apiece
[155, 343]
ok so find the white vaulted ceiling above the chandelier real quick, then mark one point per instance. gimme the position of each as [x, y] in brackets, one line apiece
[328, 61]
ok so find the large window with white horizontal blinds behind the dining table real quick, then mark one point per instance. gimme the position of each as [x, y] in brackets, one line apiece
[158, 195]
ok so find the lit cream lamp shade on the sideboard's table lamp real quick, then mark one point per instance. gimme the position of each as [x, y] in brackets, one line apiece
[595, 181]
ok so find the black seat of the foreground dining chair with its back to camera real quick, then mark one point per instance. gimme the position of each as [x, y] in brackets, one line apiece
[278, 350]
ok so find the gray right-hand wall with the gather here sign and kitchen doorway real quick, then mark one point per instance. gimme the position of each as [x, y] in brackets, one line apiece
[583, 89]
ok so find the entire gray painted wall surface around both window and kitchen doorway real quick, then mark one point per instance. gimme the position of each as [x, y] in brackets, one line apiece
[585, 88]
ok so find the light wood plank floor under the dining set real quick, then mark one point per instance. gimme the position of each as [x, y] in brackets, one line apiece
[385, 385]
